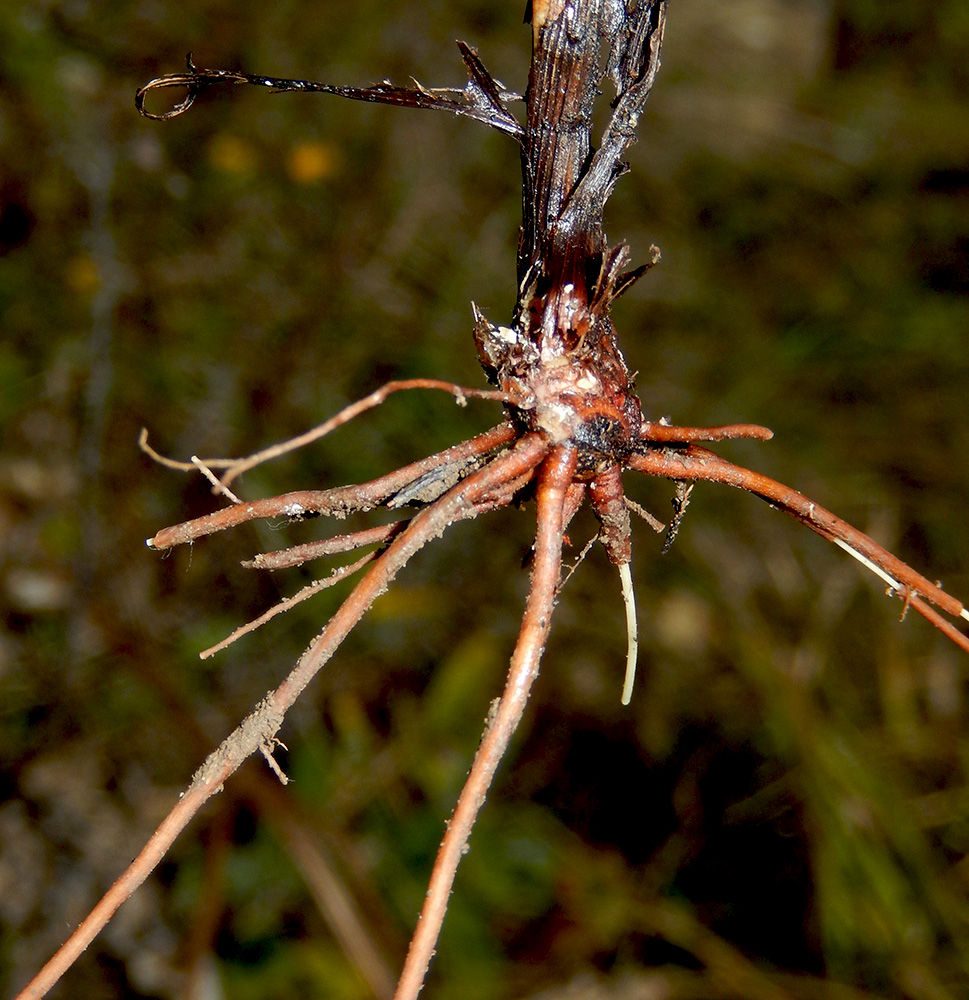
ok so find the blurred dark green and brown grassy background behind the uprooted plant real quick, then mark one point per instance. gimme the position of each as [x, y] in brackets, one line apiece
[782, 811]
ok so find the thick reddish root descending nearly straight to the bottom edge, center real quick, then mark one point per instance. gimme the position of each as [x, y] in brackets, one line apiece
[555, 477]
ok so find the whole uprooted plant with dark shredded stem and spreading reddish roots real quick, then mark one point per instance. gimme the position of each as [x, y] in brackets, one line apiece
[573, 422]
